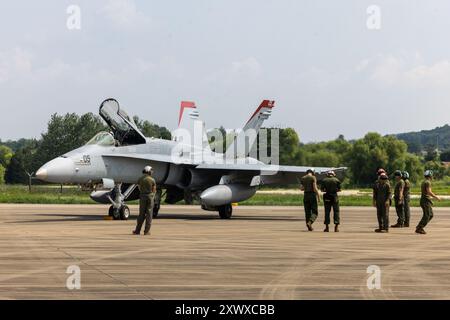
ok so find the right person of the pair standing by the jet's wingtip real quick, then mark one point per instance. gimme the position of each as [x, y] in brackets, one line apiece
[331, 186]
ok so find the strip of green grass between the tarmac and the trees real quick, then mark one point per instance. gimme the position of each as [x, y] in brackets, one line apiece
[74, 195]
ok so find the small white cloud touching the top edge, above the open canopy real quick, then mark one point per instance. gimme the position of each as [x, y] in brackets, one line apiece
[124, 14]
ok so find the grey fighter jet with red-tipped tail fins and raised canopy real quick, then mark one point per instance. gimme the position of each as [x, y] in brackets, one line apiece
[111, 163]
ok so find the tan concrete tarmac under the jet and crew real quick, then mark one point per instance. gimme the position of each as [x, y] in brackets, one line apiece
[261, 253]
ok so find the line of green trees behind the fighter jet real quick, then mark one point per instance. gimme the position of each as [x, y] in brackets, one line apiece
[363, 156]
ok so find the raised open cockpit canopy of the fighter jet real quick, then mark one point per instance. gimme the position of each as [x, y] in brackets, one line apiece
[124, 129]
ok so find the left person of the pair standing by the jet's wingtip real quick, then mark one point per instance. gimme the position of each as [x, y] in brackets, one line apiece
[311, 197]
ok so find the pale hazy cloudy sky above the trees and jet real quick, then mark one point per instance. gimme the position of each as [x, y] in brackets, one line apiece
[333, 67]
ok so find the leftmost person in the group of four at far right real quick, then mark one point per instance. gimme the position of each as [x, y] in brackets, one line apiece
[382, 201]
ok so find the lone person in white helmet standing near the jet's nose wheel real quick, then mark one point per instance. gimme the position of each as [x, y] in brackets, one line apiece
[147, 189]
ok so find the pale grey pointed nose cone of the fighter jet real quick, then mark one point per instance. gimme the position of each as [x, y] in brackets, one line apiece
[59, 170]
